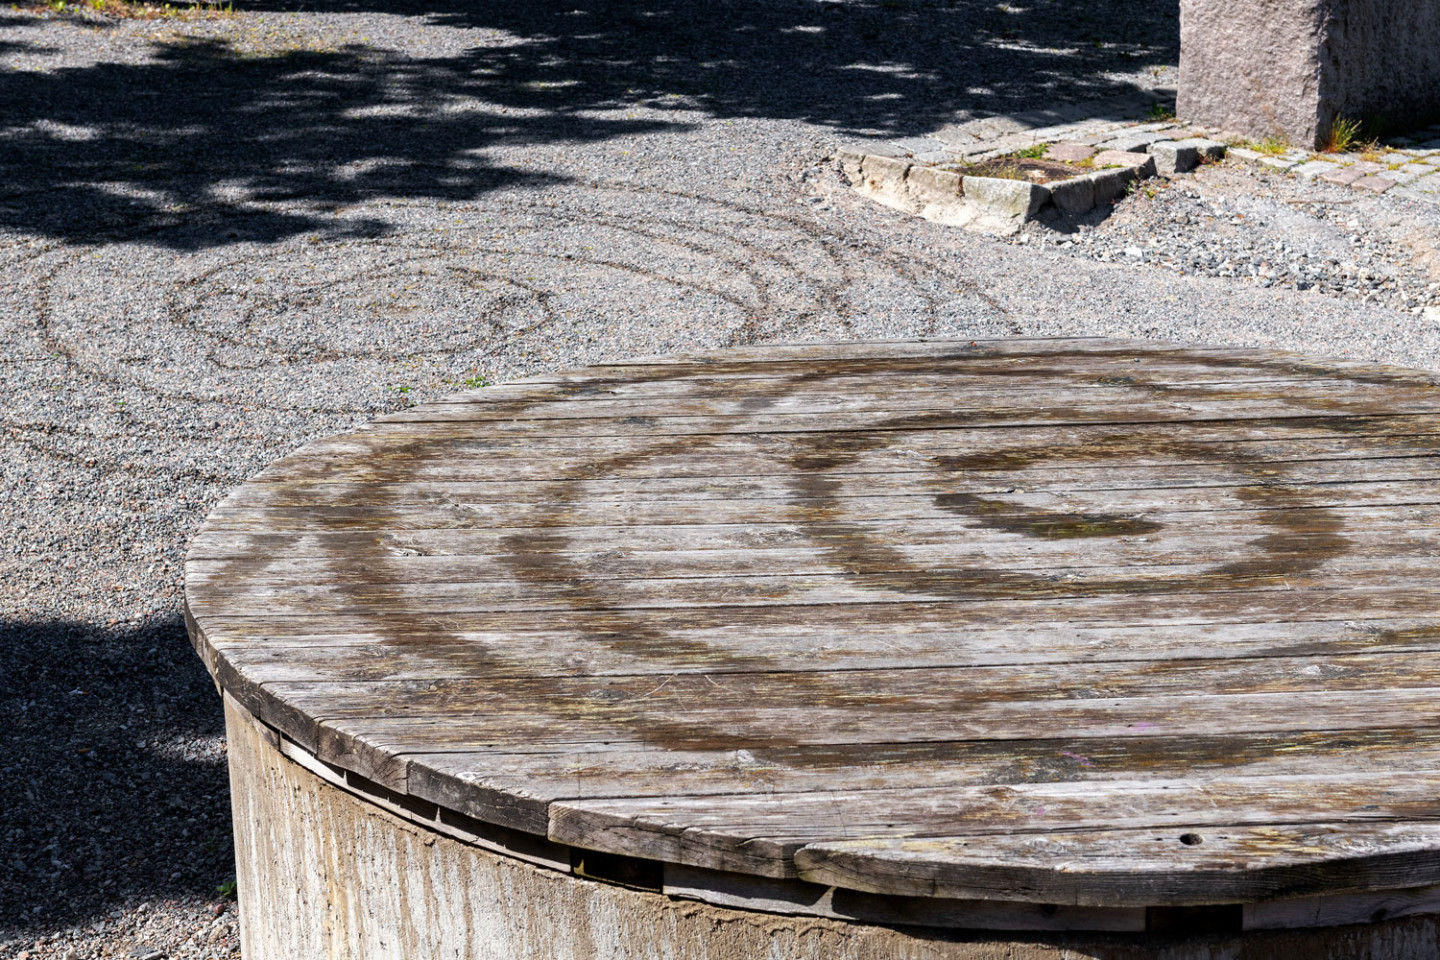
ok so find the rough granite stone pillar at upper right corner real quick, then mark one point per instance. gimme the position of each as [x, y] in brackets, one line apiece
[1290, 68]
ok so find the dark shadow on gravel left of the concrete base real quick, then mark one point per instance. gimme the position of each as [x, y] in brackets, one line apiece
[103, 791]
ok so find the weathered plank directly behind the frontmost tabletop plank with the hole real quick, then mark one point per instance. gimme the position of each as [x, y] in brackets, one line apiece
[775, 828]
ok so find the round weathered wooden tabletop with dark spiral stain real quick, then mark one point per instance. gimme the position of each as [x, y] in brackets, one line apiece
[1053, 621]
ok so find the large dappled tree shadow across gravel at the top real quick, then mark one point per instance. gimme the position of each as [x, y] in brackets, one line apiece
[204, 146]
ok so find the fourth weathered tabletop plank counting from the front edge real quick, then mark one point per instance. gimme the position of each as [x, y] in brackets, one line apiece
[349, 730]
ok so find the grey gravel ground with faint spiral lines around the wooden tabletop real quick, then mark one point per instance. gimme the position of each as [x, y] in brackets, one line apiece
[221, 238]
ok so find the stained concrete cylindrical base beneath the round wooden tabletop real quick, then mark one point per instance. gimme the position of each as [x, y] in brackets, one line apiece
[325, 873]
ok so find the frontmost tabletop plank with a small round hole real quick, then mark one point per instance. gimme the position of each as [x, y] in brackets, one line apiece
[1143, 867]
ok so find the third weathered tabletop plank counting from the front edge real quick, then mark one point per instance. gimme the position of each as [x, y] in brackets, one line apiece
[606, 771]
